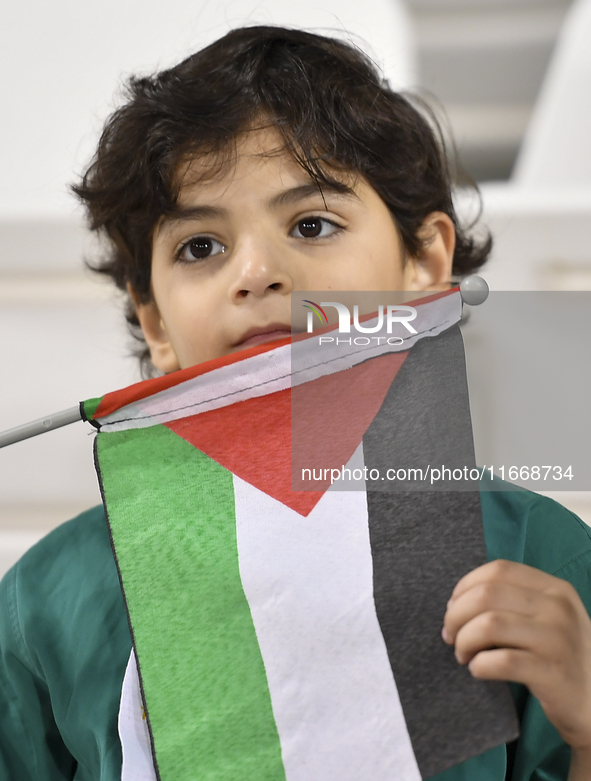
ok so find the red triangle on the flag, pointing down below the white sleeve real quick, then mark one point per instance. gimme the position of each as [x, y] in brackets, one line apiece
[268, 440]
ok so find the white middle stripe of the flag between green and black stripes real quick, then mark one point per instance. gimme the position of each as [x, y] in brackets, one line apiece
[309, 584]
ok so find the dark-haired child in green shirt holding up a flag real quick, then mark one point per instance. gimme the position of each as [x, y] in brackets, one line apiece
[273, 161]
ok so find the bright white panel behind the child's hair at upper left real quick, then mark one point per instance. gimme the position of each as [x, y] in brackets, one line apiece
[62, 61]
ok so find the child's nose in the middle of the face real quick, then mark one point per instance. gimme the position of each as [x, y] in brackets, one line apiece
[258, 269]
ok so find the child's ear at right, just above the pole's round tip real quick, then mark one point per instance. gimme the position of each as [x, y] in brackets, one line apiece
[432, 269]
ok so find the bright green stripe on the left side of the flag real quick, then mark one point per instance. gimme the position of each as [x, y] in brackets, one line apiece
[200, 664]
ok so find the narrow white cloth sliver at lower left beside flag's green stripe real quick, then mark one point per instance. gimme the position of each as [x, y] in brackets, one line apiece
[133, 729]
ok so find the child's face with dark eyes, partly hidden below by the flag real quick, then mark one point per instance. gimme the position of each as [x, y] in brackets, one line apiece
[224, 266]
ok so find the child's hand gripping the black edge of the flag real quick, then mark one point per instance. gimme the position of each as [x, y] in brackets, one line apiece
[512, 622]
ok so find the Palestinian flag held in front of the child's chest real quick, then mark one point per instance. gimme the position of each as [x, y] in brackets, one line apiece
[295, 634]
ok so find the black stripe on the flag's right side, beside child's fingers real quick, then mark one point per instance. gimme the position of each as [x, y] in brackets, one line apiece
[423, 542]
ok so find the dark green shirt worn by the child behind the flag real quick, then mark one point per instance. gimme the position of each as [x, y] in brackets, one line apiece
[65, 644]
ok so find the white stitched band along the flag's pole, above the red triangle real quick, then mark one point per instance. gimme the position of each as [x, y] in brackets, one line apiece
[278, 369]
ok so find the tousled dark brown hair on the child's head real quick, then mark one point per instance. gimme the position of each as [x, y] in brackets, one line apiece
[331, 107]
